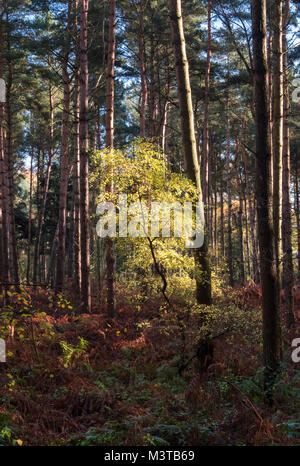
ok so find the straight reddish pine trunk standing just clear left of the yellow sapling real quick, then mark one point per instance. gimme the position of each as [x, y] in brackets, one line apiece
[84, 160]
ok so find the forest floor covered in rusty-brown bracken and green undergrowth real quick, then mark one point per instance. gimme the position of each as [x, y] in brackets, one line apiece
[90, 380]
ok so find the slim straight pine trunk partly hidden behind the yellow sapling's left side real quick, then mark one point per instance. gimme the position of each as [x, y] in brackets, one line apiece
[109, 142]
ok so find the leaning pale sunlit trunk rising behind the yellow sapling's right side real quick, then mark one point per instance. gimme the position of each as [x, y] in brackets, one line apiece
[202, 267]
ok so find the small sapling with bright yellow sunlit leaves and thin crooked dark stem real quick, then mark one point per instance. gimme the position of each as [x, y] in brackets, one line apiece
[141, 172]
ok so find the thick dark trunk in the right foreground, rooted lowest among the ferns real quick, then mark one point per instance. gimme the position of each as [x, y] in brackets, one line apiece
[269, 278]
